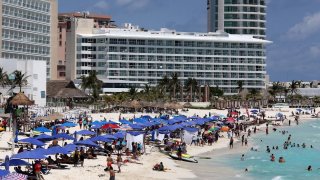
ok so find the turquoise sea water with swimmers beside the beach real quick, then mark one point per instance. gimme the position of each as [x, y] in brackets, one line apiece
[258, 163]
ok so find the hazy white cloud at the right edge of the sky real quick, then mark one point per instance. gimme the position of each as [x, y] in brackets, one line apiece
[309, 26]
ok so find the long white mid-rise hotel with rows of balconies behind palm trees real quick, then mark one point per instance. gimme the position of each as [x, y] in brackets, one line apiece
[130, 56]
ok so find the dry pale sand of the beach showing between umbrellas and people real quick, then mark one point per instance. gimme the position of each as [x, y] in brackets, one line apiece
[93, 169]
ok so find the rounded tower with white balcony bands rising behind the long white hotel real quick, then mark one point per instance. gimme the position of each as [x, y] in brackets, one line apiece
[238, 17]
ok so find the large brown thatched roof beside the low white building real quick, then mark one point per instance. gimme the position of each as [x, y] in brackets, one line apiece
[64, 89]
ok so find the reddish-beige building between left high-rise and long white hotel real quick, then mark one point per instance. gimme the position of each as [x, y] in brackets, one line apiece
[69, 25]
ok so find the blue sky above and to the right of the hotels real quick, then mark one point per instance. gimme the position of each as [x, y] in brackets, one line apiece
[292, 25]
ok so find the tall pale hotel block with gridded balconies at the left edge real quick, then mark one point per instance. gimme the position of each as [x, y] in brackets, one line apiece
[29, 31]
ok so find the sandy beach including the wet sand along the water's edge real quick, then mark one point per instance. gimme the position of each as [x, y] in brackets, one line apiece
[177, 170]
